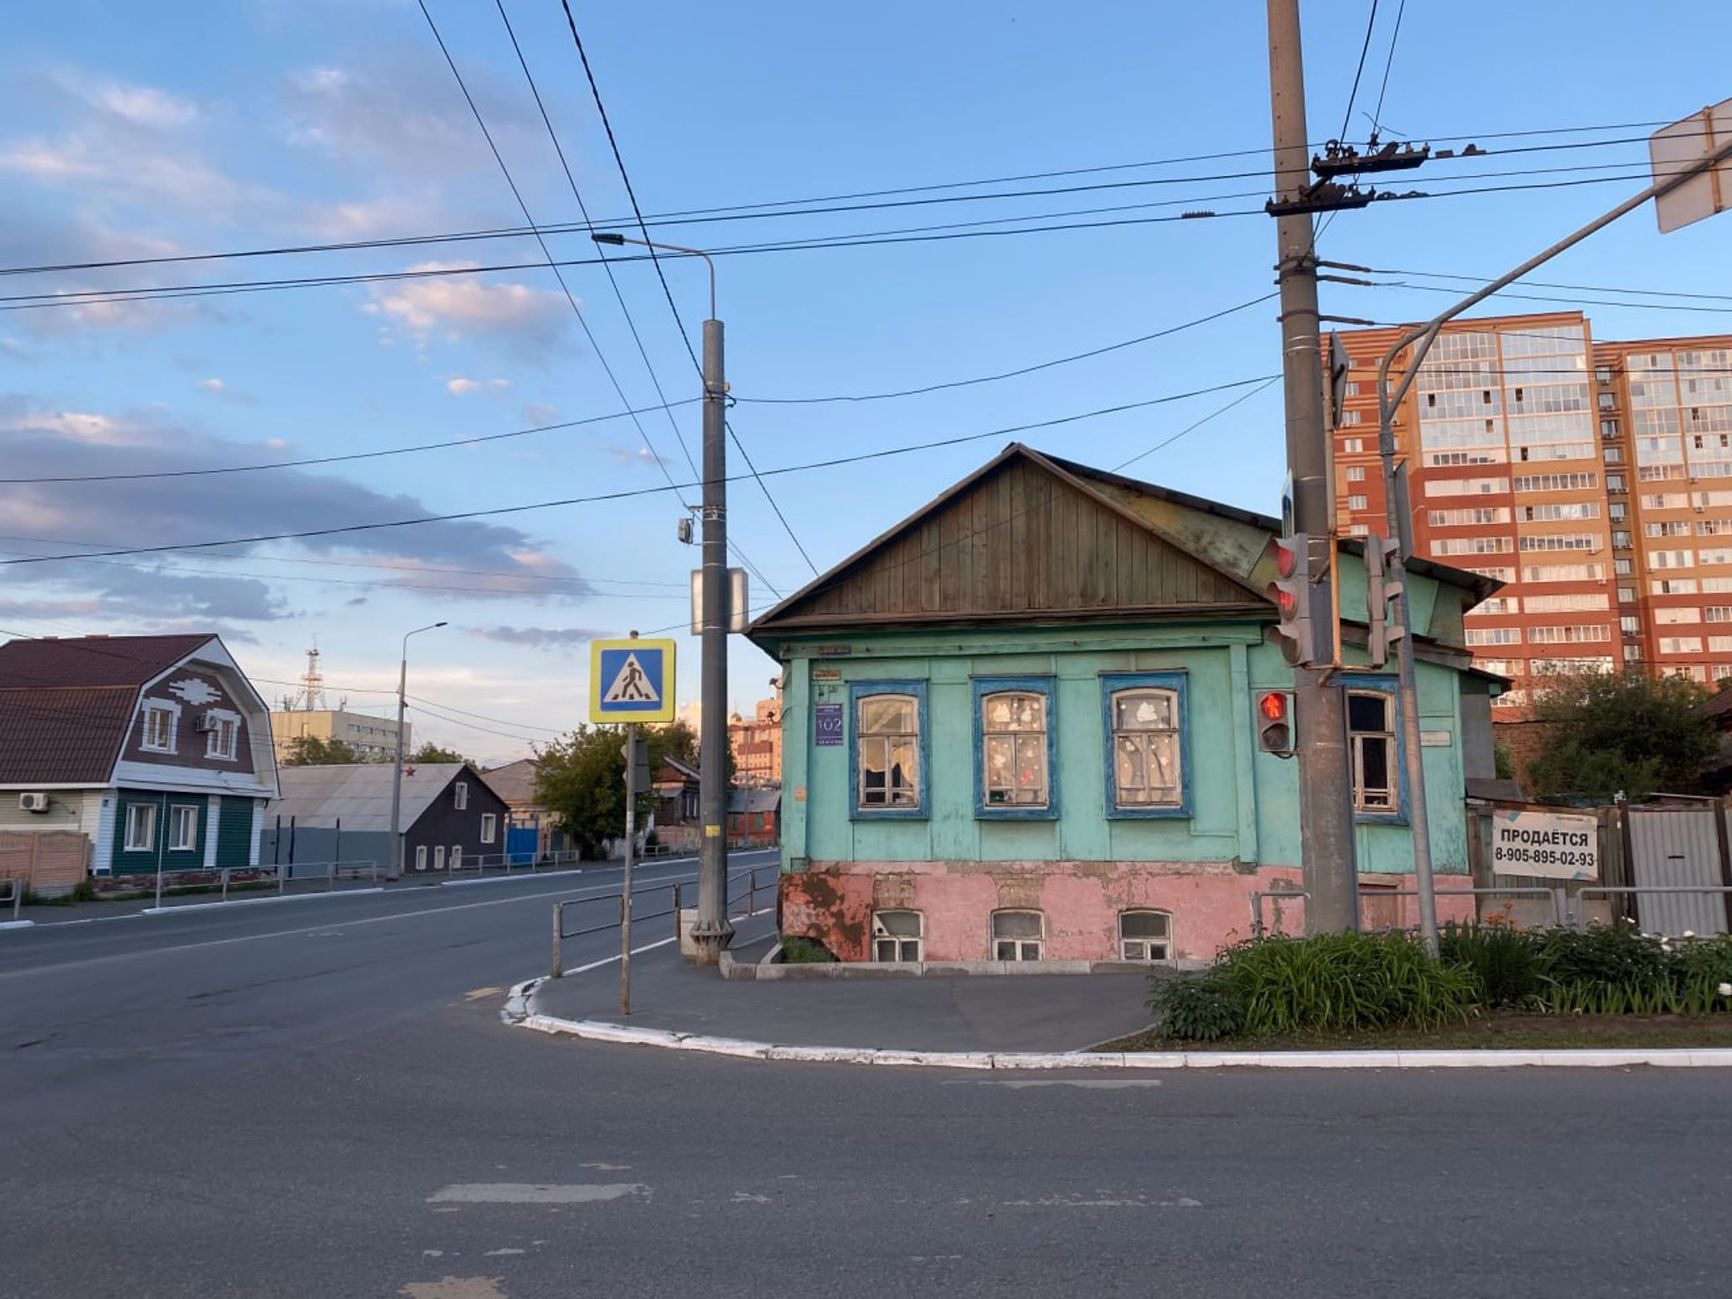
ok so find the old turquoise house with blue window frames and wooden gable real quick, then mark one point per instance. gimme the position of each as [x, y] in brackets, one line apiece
[1021, 725]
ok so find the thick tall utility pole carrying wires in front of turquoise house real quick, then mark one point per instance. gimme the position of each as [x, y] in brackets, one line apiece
[1321, 725]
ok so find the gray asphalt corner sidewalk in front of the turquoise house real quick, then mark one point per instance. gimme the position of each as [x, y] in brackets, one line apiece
[962, 1014]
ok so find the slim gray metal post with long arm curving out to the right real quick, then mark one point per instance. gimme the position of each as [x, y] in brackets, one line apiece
[1421, 339]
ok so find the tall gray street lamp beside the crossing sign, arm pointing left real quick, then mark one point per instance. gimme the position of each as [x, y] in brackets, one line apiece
[713, 933]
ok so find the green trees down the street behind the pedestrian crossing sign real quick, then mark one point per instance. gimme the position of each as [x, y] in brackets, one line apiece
[581, 779]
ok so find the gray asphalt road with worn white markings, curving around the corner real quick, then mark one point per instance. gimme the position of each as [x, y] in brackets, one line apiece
[323, 1102]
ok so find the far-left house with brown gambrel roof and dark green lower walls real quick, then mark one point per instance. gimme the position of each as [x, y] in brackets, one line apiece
[126, 756]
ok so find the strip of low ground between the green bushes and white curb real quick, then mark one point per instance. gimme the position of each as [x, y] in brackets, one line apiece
[1508, 1031]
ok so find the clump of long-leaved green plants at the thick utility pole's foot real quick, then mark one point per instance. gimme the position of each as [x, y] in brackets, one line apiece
[1336, 983]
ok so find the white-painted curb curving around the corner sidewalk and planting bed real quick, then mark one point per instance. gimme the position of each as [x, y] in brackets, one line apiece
[520, 1012]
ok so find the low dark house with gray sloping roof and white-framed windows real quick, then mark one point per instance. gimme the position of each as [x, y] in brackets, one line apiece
[451, 818]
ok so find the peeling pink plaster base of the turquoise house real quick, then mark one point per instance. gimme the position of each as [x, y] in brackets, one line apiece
[1210, 903]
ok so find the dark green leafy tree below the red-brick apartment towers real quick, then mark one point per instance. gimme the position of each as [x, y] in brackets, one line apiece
[1620, 734]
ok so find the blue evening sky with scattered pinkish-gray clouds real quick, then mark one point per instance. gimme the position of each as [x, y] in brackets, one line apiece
[179, 129]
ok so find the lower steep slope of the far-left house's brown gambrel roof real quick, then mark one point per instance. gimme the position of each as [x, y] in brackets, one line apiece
[65, 735]
